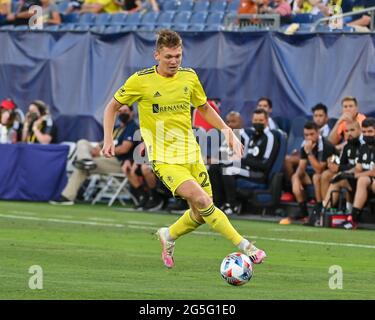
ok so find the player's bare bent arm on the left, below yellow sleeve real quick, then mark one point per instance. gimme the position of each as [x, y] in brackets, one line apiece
[110, 112]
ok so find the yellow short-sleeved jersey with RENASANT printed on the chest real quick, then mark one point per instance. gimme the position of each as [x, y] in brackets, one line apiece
[165, 113]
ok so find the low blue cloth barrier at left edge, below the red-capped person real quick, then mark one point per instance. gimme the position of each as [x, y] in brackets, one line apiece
[32, 172]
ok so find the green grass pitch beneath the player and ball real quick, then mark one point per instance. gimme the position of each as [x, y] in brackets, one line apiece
[95, 252]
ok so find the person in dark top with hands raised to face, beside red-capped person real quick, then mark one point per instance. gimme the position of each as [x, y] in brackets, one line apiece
[38, 126]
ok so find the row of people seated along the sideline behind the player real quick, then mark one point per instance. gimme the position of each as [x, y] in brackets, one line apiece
[332, 154]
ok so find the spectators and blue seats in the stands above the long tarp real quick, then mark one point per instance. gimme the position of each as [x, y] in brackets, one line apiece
[291, 11]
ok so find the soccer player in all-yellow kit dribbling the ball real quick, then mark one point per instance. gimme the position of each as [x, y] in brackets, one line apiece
[164, 93]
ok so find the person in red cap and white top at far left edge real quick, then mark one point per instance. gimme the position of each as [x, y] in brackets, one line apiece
[10, 128]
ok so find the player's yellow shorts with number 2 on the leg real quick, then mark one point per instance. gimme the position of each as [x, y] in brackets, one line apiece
[172, 175]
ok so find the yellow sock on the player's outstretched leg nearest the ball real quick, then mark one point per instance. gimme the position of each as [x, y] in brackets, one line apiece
[220, 223]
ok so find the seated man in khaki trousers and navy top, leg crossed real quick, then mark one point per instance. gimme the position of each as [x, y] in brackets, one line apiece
[90, 161]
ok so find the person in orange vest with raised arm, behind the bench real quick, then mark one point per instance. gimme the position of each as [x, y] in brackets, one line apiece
[349, 113]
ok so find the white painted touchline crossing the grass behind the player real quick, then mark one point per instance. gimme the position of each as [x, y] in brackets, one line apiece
[338, 244]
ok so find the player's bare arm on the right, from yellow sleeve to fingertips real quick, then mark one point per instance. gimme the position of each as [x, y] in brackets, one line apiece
[212, 117]
